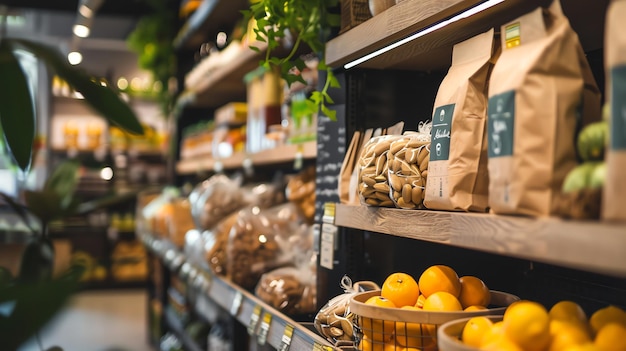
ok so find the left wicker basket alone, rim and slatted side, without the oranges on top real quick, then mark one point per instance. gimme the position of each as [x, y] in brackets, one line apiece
[377, 327]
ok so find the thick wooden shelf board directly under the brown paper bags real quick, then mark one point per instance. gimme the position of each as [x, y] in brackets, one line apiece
[585, 245]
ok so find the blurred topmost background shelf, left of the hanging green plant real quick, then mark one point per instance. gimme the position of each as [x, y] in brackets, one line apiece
[210, 17]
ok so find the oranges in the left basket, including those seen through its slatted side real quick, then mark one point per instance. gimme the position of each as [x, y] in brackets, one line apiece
[438, 288]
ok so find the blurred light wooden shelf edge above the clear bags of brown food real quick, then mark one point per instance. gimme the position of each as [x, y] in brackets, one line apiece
[281, 154]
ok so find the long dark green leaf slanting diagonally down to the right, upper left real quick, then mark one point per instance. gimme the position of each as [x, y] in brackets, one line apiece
[102, 99]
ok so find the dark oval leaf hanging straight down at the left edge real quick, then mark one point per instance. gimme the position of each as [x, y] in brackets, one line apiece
[17, 114]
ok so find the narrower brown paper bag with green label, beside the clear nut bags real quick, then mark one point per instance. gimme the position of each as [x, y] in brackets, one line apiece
[458, 175]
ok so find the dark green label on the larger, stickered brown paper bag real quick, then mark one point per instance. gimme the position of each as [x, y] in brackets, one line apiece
[500, 124]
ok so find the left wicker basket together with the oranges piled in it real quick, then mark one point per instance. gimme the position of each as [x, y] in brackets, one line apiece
[406, 313]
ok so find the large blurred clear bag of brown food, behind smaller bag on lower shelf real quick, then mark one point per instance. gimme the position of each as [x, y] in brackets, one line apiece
[259, 241]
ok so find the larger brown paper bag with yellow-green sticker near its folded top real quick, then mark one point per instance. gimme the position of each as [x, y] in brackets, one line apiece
[536, 92]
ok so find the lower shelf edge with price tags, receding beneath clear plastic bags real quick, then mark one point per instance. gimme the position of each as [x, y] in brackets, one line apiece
[240, 303]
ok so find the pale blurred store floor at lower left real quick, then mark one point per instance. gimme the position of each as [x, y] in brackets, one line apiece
[99, 321]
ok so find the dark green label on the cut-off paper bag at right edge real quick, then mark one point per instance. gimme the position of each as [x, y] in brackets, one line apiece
[618, 108]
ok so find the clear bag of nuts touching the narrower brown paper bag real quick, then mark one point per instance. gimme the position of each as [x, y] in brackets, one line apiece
[408, 169]
